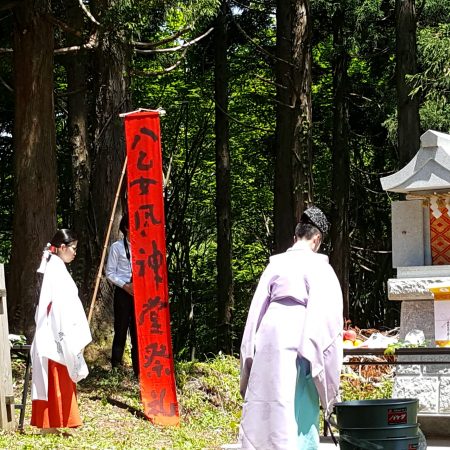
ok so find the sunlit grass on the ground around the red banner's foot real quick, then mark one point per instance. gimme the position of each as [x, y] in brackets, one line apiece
[209, 400]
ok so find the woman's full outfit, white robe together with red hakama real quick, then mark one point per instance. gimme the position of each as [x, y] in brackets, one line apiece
[62, 332]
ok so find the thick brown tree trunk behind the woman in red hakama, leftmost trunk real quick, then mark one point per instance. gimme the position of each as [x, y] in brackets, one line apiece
[35, 158]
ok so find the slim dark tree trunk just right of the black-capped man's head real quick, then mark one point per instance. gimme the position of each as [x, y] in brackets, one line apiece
[340, 191]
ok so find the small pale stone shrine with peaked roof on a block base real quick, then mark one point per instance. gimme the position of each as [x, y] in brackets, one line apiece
[421, 255]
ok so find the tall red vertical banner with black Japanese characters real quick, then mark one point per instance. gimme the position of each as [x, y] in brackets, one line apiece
[148, 245]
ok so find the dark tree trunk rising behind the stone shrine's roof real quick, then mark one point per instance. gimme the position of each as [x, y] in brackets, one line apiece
[407, 108]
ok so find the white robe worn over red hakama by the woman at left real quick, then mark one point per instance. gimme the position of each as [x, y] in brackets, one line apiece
[62, 330]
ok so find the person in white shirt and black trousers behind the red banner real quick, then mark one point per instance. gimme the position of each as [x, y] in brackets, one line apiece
[119, 272]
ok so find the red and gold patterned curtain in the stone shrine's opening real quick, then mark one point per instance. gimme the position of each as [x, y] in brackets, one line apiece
[440, 231]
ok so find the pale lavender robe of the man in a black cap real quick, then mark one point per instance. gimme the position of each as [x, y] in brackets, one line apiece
[294, 326]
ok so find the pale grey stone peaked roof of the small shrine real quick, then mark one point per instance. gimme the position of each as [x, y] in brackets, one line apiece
[429, 170]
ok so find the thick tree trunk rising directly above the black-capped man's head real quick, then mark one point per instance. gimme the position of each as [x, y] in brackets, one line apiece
[293, 150]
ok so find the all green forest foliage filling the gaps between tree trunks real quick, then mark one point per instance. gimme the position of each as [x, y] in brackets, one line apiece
[183, 85]
